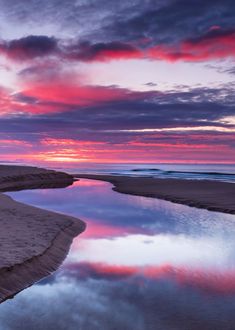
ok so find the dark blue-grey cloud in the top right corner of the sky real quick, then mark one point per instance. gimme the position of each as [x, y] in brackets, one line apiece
[175, 20]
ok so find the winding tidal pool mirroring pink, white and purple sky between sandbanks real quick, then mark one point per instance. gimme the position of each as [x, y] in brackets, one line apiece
[141, 264]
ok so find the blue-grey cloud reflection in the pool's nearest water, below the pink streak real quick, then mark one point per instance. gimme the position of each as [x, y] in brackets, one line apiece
[100, 304]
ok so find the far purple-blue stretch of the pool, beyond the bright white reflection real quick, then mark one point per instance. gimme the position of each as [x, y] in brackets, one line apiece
[129, 213]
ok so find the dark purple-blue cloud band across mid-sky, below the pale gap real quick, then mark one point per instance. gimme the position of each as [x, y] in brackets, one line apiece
[196, 107]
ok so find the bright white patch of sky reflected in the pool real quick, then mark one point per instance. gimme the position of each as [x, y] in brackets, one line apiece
[205, 252]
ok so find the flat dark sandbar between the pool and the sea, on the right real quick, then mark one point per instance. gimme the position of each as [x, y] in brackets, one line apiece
[211, 195]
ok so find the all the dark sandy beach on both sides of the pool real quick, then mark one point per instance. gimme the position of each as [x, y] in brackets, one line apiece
[34, 242]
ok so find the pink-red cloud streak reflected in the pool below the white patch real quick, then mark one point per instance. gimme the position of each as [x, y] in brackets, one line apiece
[214, 282]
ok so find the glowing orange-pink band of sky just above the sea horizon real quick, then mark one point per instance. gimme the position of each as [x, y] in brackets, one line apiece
[52, 151]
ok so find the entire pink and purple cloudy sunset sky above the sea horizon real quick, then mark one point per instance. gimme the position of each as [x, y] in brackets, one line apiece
[148, 81]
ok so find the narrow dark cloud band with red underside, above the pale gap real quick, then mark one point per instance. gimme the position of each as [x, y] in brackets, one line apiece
[214, 44]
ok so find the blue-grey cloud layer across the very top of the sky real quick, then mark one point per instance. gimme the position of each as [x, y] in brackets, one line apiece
[145, 22]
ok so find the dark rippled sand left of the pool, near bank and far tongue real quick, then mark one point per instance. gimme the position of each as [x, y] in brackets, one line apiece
[33, 242]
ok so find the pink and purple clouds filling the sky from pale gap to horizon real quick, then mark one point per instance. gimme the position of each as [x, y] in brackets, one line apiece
[100, 122]
